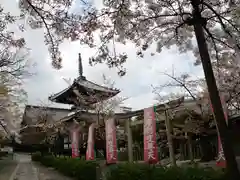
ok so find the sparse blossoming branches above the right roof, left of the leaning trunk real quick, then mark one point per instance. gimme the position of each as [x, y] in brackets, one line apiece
[184, 85]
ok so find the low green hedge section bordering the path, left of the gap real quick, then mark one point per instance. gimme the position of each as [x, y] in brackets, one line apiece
[77, 168]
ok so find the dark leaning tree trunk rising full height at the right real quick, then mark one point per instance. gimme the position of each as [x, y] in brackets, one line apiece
[232, 167]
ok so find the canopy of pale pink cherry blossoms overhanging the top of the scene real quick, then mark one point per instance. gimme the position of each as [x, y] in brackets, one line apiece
[163, 23]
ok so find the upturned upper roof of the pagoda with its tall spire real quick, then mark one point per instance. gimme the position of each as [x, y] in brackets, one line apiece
[89, 92]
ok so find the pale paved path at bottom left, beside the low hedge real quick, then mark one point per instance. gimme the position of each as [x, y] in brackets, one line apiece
[20, 167]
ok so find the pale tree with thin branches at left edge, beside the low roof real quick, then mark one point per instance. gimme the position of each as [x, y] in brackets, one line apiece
[14, 68]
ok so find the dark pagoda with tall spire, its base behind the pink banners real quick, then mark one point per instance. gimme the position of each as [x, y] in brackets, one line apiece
[83, 94]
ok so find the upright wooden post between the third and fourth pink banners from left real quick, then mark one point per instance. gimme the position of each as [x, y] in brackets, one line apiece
[129, 140]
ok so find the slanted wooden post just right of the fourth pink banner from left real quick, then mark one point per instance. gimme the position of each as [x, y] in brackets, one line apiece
[169, 138]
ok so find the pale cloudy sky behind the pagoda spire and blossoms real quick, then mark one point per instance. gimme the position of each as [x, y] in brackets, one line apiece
[136, 84]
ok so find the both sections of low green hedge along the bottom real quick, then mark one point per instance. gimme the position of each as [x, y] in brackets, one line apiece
[86, 170]
